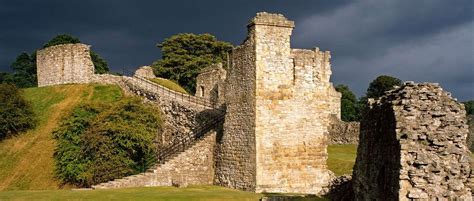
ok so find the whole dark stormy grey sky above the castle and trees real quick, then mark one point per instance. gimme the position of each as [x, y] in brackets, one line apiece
[423, 41]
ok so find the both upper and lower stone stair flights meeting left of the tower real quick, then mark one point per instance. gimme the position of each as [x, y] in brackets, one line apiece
[186, 160]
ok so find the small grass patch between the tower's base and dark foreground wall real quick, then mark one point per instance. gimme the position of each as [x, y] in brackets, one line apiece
[341, 158]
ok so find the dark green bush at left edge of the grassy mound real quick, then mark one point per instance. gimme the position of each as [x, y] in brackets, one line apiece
[16, 114]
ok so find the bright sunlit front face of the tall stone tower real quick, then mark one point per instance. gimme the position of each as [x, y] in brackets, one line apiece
[292, 110]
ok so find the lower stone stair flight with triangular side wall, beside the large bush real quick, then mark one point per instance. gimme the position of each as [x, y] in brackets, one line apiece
[186, 162]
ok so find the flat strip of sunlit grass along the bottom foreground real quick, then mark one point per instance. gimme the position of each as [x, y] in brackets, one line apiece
[145, 193]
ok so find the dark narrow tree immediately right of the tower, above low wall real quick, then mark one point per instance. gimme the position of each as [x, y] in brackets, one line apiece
[349, 110]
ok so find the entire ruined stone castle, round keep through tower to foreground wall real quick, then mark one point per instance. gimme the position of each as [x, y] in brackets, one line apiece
[261, 124]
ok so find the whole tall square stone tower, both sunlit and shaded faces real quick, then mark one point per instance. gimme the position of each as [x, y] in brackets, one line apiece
[278, 105]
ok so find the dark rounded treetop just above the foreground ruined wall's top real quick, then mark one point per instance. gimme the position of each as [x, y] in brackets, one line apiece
[381, 84]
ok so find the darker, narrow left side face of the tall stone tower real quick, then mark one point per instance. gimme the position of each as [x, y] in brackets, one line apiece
[235, 159]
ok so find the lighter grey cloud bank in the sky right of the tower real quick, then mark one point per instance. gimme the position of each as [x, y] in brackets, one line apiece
[413, 40]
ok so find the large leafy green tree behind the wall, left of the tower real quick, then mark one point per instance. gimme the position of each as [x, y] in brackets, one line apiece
[184, 55]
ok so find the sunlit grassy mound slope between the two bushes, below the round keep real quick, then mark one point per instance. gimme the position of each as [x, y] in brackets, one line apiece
[26, 160]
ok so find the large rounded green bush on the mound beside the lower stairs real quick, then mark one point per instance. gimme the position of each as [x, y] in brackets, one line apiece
[100, 142]
